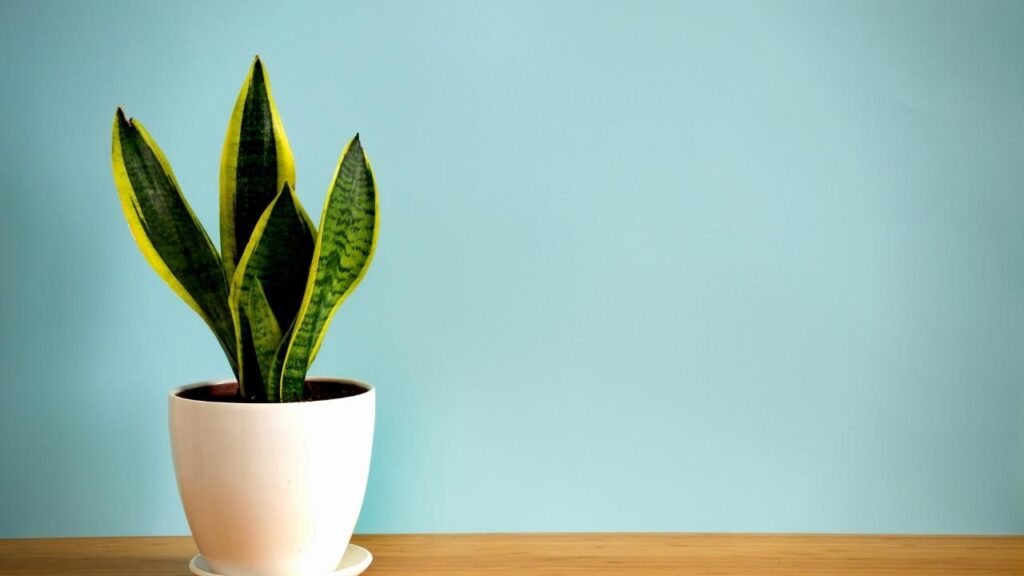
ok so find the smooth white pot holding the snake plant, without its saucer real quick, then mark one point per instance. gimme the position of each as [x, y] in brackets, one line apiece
[272, 489]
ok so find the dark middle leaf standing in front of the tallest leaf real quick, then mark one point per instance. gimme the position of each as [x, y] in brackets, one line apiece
[276, 263]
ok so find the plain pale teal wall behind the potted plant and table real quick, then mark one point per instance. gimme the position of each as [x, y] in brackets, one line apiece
[644, 266]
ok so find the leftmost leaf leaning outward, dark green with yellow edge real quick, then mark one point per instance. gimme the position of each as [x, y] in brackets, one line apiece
[172, 238]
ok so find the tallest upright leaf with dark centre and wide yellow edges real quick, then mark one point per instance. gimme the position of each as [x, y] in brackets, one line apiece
[255, 164]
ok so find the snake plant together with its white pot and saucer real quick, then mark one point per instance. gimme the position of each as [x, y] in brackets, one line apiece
[272, 466]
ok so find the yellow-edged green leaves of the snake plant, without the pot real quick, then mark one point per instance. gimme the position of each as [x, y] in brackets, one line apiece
[271, 293]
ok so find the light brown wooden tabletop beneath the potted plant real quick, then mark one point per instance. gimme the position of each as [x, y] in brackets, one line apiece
[567, 555]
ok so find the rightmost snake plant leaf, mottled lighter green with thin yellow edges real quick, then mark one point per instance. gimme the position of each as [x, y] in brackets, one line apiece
[345, 249]
